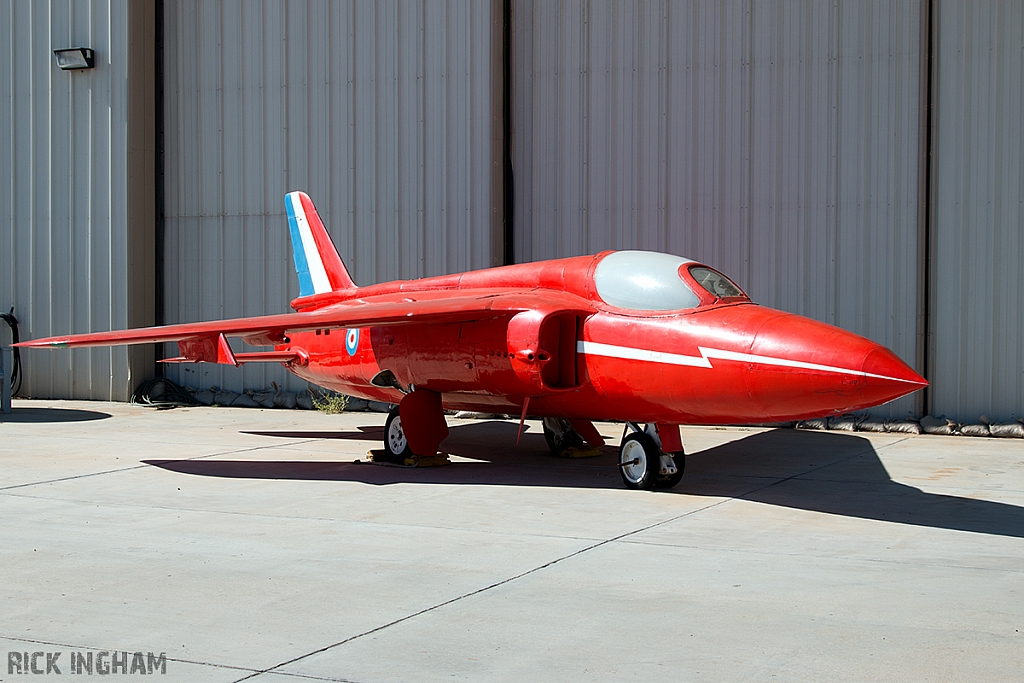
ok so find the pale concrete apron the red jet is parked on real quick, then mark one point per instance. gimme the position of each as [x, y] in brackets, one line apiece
[250, 545]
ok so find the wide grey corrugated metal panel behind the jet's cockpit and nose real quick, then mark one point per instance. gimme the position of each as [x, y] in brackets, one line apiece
[779, 142]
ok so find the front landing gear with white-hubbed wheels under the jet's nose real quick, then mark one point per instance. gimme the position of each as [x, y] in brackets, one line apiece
[643, 462]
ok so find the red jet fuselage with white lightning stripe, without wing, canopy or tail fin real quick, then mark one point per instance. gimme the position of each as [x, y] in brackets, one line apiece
[730, 362]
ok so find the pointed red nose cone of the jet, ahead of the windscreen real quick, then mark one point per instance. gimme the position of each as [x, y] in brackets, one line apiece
[806, 369]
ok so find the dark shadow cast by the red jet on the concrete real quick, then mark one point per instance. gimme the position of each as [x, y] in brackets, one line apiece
[827, 473]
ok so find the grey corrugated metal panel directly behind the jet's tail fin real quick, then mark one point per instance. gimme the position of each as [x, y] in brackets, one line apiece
[387, 113]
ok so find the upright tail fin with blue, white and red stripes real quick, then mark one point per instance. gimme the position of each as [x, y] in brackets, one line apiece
[321, 269]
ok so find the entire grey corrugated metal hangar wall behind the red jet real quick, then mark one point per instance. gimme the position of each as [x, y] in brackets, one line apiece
[780, 142]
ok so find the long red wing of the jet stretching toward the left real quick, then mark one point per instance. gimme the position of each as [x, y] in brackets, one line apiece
[437, 307]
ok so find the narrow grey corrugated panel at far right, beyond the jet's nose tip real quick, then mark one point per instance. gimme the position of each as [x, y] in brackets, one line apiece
[978, 211]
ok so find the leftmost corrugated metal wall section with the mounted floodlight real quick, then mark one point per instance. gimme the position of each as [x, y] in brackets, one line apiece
[66, 194]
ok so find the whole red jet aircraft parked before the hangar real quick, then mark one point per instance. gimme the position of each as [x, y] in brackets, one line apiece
[642, 337]
